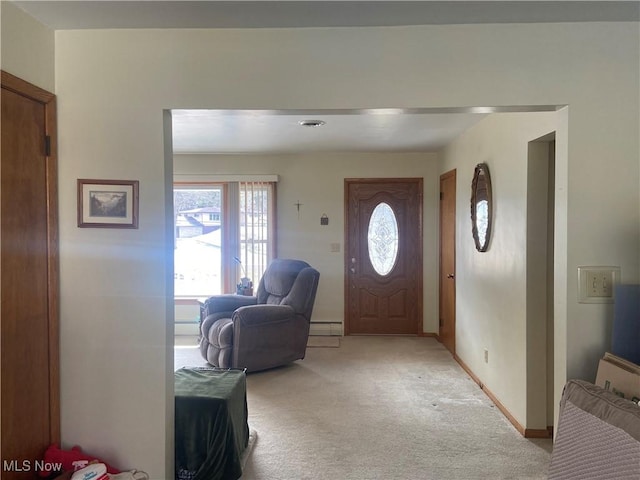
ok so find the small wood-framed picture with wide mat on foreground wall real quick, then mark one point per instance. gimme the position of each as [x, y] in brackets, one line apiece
[107, 203]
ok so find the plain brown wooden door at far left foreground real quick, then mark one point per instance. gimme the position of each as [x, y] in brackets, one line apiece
[29, 277]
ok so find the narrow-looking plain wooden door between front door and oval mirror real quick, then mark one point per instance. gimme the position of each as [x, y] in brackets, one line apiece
[447, 283]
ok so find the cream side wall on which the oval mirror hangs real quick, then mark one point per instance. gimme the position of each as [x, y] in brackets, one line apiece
[491, 300]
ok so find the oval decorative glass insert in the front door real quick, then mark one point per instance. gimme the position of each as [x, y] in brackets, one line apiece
[382, 239]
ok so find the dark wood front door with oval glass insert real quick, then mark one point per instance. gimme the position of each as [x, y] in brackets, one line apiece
[383, 256]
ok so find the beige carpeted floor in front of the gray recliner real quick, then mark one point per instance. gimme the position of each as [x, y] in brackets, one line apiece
[380, 408]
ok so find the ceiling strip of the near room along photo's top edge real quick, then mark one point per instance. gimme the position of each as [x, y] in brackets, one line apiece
[64, 15]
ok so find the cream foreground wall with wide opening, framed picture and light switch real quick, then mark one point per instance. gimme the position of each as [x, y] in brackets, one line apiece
[112, 86]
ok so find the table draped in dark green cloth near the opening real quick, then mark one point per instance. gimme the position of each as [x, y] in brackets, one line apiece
[211, 428]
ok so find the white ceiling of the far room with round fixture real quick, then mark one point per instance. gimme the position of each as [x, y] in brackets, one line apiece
[219, 131]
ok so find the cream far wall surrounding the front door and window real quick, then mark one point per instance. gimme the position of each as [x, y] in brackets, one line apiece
[317, 181]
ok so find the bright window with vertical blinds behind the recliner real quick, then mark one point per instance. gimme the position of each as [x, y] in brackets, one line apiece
[223, 232]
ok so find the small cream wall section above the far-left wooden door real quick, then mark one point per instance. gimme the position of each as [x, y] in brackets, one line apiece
[27, 47]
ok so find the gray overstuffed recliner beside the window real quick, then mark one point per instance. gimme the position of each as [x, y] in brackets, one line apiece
[266, 330]
